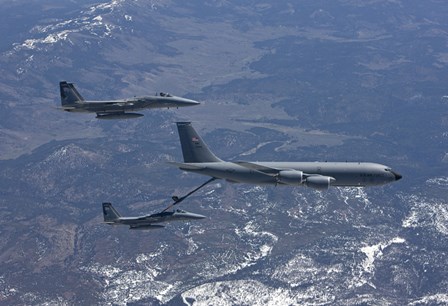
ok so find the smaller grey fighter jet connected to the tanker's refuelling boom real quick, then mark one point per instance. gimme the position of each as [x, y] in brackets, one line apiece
[112, 217]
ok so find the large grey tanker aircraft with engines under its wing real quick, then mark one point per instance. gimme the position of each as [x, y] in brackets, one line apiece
[318, 175]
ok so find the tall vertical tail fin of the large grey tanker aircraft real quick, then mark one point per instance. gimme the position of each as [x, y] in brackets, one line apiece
[194, 149]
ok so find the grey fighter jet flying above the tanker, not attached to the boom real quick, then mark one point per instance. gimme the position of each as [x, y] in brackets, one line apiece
[72, 101]
